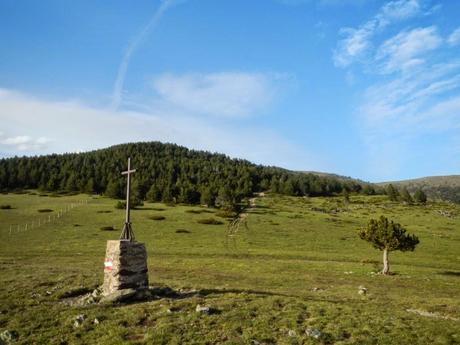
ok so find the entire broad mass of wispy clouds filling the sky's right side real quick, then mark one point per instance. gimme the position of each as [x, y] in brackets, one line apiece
[414, 91]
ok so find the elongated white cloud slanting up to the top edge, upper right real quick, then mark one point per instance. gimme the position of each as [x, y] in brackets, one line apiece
[356, 42]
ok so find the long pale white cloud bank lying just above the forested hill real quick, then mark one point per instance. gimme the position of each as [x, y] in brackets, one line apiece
[77, 127]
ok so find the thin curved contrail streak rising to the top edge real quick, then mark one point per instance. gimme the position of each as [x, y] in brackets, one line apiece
[117, 94]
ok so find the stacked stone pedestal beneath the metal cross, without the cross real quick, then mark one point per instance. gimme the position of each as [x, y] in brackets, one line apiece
[125, 267]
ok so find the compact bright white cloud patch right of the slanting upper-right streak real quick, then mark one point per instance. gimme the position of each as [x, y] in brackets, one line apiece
[405, 50]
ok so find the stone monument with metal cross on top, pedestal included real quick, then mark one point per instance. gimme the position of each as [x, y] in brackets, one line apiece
[125, 266]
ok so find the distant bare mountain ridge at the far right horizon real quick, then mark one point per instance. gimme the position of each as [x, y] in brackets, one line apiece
[436, 187]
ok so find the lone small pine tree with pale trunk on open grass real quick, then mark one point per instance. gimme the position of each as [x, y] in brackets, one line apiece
[387, 236]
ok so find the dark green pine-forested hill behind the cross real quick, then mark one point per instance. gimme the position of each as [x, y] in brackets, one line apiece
[165, 172]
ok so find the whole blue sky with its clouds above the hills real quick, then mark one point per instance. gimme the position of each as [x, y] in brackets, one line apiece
[369, 89]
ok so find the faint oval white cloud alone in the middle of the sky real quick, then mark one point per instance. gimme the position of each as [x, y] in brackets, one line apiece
[226, 94]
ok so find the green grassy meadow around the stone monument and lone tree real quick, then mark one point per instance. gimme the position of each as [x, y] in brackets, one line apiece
[298, 265]
